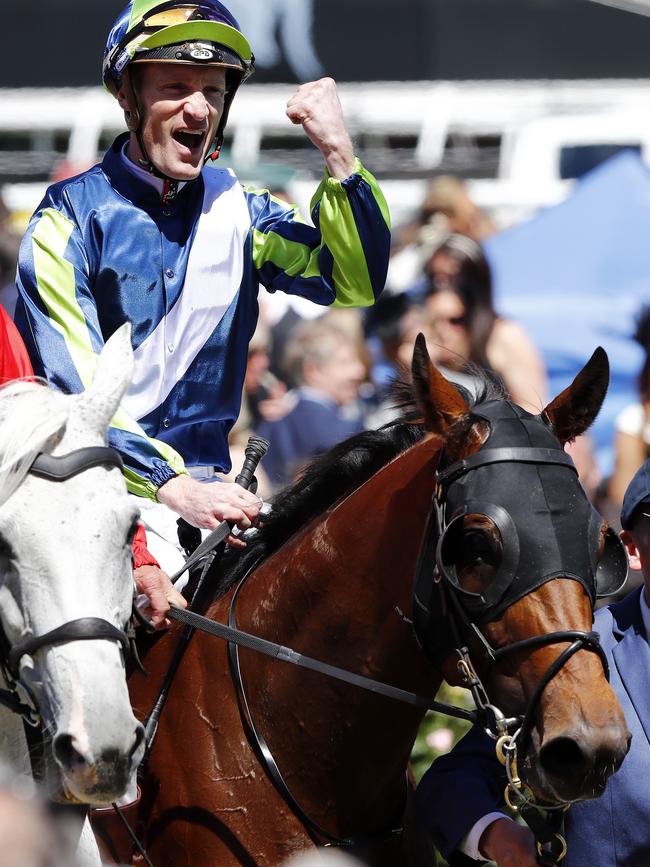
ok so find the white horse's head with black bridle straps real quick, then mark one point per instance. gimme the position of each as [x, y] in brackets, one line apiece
[65, 556]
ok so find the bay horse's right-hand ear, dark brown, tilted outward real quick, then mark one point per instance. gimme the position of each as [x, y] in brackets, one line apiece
[573, 411]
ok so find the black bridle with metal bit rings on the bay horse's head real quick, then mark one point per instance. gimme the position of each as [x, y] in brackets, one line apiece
[457, 620]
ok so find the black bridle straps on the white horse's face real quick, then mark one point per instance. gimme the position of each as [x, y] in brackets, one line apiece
[17, 697]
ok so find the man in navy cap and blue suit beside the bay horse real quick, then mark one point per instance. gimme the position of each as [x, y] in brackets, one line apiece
[459, 797]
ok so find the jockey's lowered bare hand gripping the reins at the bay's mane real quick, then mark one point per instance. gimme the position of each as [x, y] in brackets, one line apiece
[207, 505]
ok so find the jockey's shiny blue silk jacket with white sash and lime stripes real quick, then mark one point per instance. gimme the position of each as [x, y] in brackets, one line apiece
[104, 248]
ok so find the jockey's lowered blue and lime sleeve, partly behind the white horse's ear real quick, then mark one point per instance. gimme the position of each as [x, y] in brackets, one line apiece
[57, 318]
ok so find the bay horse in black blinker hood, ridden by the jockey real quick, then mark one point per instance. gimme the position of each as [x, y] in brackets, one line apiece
[331, 576]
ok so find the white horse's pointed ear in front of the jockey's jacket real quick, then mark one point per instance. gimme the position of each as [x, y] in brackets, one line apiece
[112, 376]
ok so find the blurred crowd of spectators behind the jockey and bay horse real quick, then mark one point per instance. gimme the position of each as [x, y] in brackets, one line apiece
[316, 376]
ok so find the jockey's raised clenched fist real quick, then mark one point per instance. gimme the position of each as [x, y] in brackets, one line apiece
[316, 106]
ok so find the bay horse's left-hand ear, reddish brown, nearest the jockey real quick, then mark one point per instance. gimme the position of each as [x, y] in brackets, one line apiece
[441, 404]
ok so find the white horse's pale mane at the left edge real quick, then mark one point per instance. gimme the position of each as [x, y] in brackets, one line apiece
[30, 416]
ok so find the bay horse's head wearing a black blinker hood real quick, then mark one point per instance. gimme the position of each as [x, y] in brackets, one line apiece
[521, 554]
